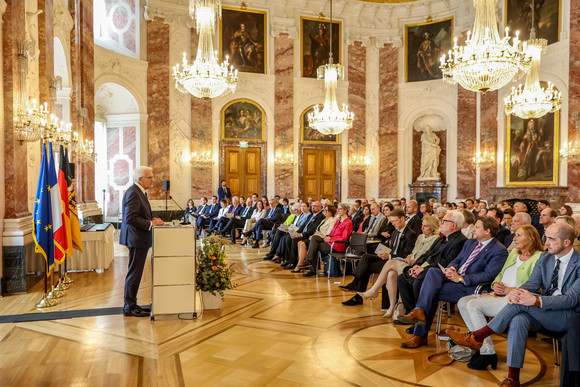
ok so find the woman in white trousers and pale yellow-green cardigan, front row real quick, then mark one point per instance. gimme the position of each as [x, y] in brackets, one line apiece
[517, 270]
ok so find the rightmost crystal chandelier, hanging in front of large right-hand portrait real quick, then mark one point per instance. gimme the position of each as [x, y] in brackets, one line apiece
[532, 100]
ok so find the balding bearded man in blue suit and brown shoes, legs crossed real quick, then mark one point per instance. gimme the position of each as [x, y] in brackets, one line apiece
[547, 300]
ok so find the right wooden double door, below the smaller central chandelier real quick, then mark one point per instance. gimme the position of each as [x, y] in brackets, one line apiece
[319, 173]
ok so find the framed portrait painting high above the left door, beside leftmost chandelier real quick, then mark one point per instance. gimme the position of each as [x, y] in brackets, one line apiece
[243, 39]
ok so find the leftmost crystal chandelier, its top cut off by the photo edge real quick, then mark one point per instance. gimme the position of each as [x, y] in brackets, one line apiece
[205, 78]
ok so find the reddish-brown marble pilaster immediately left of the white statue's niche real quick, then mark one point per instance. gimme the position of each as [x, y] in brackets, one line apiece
[388, 119]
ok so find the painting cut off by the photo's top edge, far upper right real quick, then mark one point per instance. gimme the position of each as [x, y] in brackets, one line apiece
[547, 16]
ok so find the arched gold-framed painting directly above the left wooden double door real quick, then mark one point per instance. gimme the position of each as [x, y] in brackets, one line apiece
[243, 119]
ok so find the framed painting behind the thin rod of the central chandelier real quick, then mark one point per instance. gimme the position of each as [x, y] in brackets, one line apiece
[315, 44]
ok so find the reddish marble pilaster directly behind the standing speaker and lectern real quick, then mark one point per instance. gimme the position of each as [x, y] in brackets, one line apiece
[158, 81]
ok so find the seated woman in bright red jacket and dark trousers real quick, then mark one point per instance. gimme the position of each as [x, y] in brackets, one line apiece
[340, 232]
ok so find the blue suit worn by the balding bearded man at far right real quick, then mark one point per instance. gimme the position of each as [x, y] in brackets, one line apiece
[554, 313]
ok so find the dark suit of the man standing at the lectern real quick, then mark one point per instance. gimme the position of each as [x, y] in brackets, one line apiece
[136, 235]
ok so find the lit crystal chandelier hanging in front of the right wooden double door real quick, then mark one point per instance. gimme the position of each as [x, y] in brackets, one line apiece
[331, 120]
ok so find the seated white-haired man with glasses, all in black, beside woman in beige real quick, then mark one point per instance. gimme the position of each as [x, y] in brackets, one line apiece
[442, 252]
